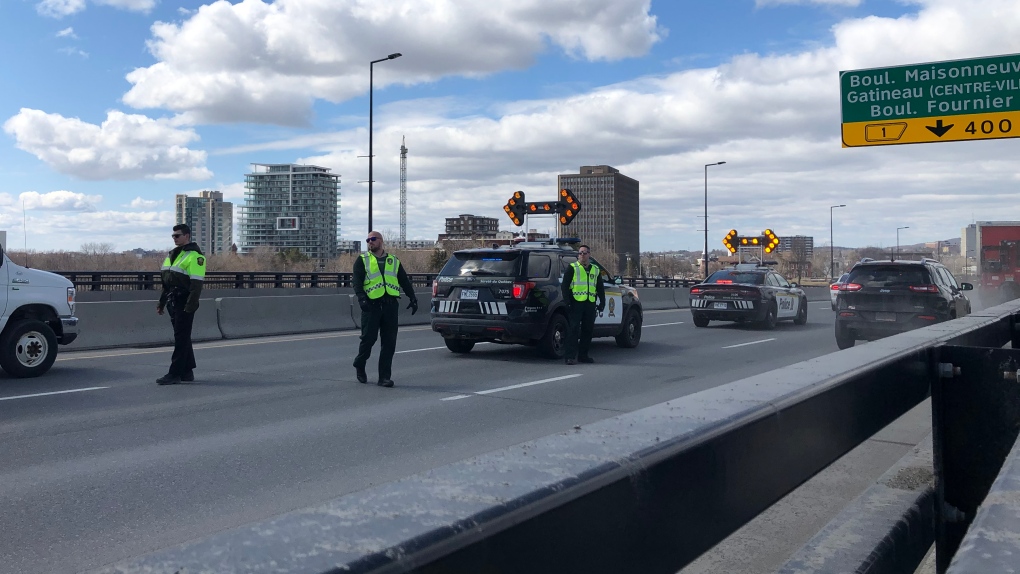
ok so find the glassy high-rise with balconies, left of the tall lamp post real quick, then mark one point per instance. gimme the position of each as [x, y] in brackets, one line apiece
[290, 206]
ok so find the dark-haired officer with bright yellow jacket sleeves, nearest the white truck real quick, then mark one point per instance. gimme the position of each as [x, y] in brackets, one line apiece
[183, 274]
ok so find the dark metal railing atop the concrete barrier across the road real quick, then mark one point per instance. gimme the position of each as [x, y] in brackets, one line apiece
[149, 281]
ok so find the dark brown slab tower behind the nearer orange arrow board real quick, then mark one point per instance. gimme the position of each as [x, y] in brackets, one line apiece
[609, 211]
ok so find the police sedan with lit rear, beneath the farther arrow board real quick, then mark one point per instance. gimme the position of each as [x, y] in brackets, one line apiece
[748, 293]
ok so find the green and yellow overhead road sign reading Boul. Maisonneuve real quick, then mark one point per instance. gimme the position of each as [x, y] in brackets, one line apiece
[951, 101]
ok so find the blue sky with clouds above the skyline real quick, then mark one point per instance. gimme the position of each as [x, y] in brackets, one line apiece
[112, 108]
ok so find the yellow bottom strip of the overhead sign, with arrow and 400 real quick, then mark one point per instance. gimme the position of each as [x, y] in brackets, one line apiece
[932, 130]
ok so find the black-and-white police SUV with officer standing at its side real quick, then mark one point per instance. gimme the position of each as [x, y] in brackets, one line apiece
[512, 295]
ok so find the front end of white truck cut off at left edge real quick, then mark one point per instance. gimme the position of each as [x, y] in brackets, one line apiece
[37, 314]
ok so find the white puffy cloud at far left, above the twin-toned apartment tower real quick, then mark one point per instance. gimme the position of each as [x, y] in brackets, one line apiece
[124, 147]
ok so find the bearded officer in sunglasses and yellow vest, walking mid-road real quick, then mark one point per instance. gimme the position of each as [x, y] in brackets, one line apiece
[378, 280]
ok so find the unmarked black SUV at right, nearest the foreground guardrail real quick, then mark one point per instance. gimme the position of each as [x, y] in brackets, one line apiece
[884, 298]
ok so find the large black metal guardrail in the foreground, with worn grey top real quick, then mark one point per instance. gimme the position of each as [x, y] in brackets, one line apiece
[652, 490]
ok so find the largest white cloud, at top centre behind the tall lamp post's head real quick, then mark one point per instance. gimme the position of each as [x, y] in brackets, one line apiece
[254, 62]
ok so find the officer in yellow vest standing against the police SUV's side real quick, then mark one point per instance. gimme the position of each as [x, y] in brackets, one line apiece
[582, 286]
